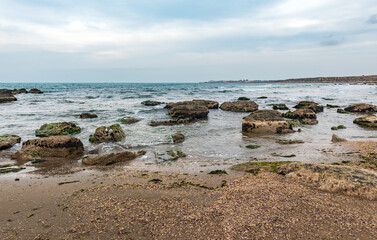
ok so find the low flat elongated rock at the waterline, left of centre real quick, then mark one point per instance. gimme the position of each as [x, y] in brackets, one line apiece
[111, 158]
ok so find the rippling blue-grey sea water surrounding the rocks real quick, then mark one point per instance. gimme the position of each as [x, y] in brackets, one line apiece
[217, 139]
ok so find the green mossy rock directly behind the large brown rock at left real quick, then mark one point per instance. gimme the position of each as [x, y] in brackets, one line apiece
[54, 129]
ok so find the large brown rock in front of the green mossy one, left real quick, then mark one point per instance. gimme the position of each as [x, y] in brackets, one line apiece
[50, 148]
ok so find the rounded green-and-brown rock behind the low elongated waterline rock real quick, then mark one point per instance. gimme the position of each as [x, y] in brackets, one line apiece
[114, 133]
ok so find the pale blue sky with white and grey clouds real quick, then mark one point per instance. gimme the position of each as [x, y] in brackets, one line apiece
[185, 41]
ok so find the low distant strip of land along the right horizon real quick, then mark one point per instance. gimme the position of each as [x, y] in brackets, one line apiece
[371, 79]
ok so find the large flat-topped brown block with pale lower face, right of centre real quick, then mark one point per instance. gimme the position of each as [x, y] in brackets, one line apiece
[265, 121]
